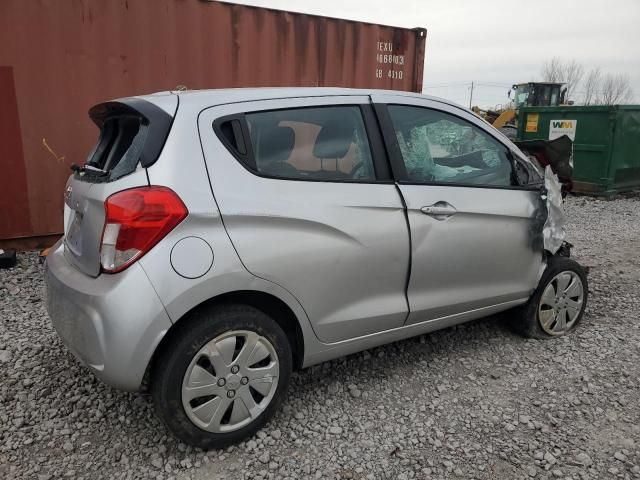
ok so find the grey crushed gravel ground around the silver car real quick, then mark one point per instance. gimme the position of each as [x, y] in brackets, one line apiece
[475, 401]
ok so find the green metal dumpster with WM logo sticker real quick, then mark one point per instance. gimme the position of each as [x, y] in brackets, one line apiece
[606, 149]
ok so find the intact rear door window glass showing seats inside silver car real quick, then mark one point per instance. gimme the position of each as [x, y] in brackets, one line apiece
[322, 143]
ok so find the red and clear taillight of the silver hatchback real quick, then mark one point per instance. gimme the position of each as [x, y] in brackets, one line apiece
[135, 220]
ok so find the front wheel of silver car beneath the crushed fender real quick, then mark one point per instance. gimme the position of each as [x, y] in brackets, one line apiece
[558, 303]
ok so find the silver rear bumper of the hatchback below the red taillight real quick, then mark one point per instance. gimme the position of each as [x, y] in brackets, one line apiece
[112, 323]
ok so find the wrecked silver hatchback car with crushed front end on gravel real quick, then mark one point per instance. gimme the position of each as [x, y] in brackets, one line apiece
[217, 240]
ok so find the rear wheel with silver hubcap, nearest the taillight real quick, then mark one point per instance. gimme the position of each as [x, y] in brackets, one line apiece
[203, 353]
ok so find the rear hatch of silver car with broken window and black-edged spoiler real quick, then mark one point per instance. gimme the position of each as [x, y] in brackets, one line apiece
[132, 134]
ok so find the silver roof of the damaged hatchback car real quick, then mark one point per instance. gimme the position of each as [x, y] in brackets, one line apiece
[222, 96]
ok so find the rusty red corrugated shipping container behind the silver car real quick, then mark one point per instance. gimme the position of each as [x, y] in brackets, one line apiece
[60, 57]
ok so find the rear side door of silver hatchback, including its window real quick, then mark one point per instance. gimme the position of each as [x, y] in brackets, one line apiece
[308, 203]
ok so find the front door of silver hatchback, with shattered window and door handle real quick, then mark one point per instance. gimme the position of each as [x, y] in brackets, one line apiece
[472, 232]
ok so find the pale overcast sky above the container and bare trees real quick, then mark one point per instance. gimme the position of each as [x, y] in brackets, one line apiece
[497, 43]
